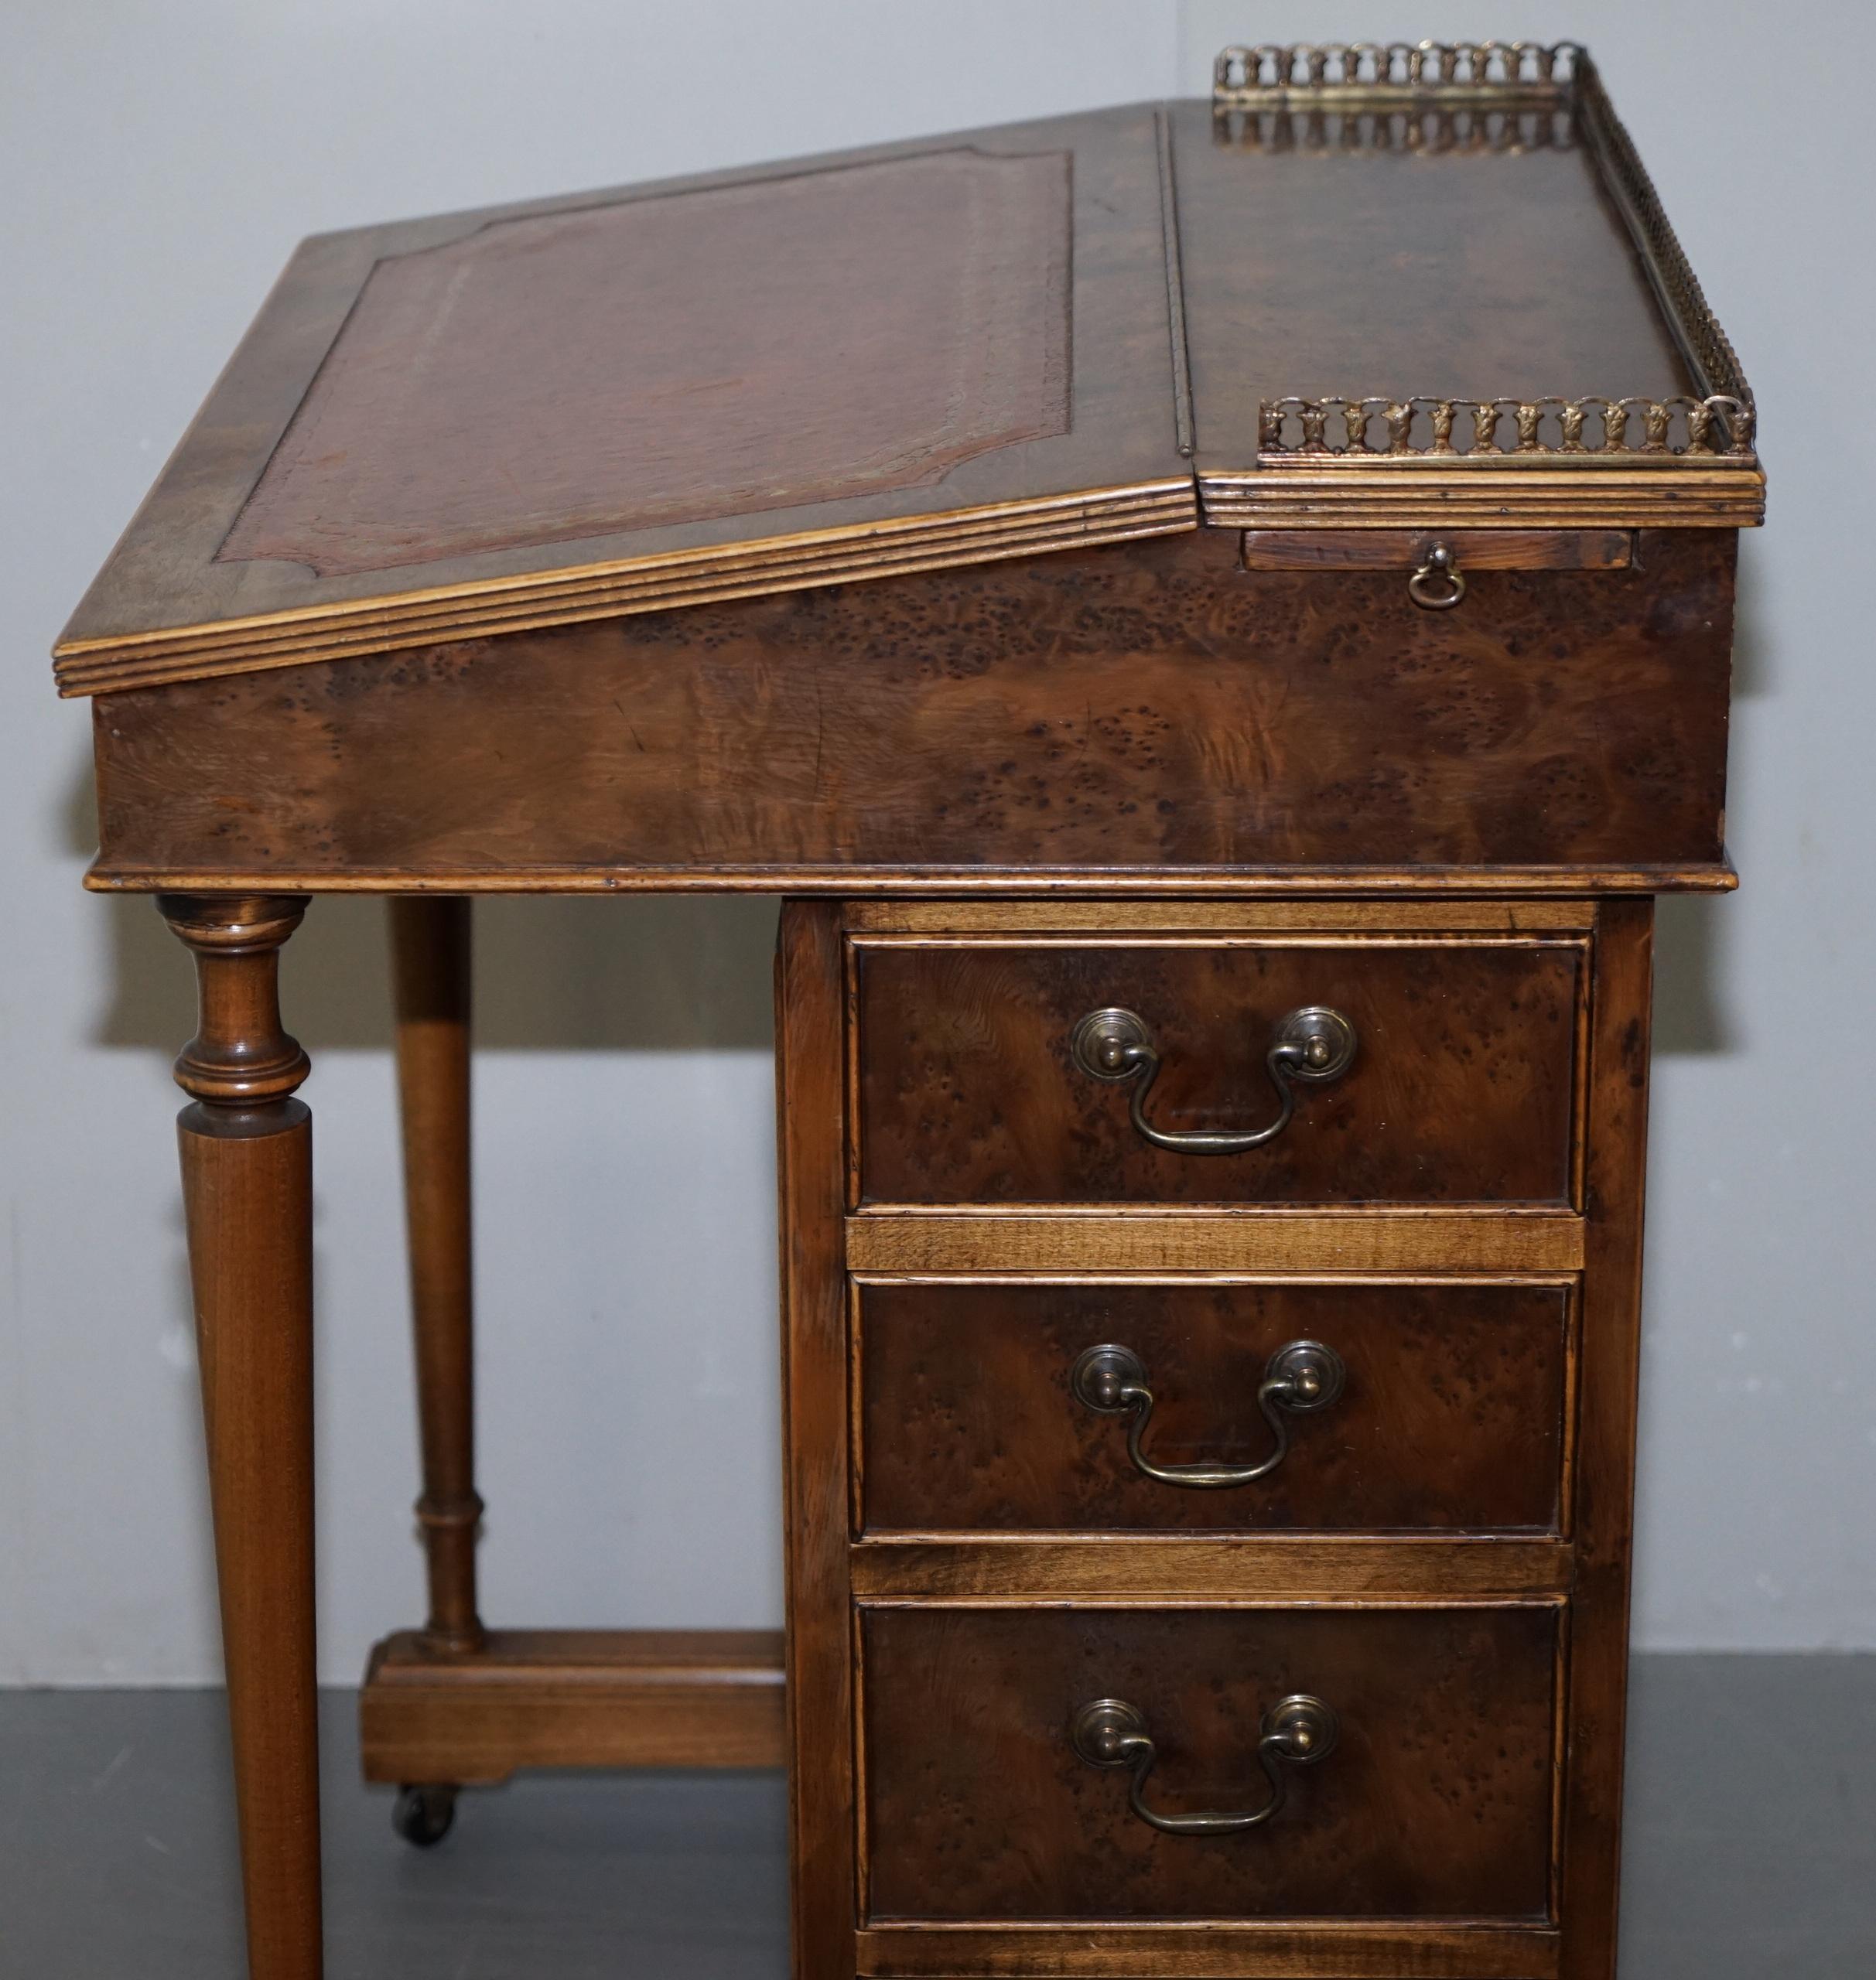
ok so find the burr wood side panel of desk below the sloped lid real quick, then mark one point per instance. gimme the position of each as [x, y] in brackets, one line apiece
[1148, 714]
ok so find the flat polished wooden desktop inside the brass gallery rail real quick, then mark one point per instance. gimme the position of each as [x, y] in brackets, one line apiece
[1398, 272]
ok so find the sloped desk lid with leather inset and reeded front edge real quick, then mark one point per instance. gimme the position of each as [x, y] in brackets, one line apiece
[922, 355]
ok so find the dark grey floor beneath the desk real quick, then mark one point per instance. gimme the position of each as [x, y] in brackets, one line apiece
[1752, 1848]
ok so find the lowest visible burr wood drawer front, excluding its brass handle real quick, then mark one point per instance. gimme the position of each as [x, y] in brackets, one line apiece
[1435, 1801]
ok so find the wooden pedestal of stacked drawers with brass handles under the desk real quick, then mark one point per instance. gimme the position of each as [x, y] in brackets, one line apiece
[1306, 1462]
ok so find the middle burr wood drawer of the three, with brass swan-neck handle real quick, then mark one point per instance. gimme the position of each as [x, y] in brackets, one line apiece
[982, 1405]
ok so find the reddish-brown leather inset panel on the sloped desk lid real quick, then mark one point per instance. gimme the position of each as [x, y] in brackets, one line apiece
[678, 359]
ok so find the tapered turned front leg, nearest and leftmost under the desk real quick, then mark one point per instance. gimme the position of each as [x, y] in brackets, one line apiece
[249, 1195]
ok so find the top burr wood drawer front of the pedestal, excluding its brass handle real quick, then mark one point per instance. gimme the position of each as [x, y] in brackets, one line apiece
[1461, 1088]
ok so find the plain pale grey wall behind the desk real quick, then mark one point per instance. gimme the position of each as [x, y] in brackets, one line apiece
[157, 165]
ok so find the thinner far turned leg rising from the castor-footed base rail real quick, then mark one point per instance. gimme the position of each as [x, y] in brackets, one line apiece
[431, 965]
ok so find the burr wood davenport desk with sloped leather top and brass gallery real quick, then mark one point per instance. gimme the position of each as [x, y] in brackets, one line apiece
[1217, 621]
